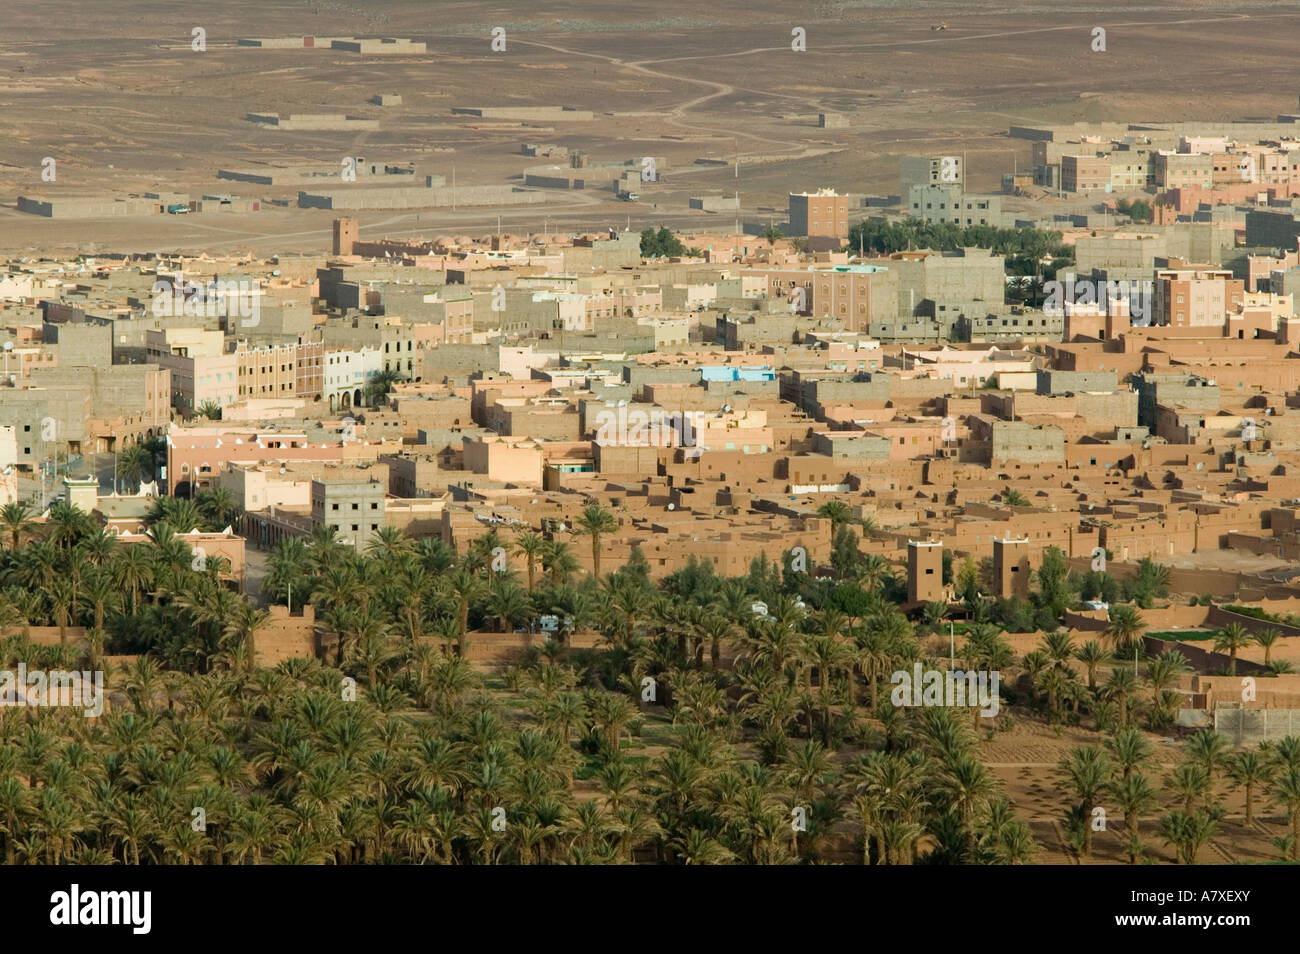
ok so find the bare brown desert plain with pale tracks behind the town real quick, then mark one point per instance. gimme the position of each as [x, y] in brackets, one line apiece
[116, 94]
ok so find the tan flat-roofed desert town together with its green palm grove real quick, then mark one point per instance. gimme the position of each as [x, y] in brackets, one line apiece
[908, 523]
